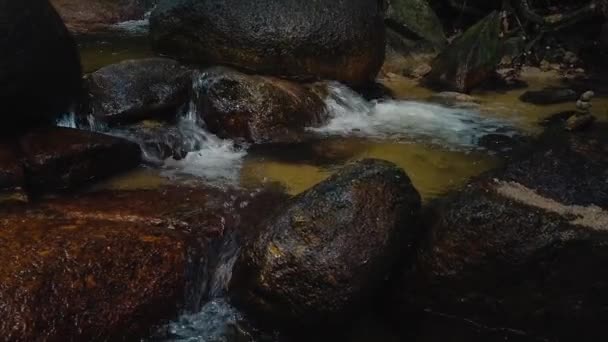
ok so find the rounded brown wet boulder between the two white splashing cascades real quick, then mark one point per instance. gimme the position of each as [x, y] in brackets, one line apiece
[255, 108]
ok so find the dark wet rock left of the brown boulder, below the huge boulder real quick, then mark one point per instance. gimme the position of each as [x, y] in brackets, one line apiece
[140, 89]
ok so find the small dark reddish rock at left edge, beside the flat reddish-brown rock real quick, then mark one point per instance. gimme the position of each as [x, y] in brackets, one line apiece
[11, 174]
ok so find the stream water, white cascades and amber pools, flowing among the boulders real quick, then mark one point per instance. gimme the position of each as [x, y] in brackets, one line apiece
[438, 146]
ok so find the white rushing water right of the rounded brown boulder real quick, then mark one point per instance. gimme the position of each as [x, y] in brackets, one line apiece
[352, 115]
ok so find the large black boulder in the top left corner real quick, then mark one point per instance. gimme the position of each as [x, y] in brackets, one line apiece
[40, 75]
